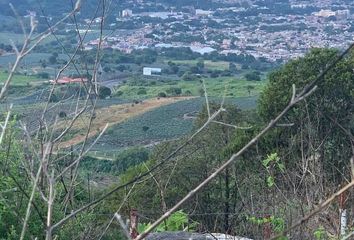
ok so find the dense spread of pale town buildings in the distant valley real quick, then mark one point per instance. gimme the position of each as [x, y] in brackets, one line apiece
[274, 36]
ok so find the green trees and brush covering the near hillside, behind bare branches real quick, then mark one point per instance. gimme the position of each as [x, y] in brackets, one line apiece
[295, 166]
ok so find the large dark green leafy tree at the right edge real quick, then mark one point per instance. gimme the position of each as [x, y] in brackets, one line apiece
[316, 122]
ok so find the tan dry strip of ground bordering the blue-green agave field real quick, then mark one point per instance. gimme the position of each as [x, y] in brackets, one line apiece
[113, 115]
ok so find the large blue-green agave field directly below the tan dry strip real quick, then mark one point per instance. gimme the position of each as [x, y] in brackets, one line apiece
[161, 124]
